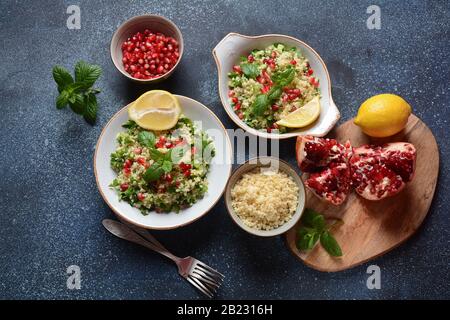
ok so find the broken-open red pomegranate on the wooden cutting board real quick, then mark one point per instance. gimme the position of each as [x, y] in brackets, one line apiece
[376, 172]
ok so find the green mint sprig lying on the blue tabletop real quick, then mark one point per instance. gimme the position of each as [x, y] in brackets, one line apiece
[78, 93]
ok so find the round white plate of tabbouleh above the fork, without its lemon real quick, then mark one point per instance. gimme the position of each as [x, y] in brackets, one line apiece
[165, 179]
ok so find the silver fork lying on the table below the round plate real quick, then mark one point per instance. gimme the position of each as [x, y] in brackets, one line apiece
[200, 275]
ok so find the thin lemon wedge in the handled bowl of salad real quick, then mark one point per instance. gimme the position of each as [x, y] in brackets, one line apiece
[302, 116]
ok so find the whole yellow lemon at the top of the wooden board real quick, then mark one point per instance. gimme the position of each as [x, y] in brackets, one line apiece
[383, 115]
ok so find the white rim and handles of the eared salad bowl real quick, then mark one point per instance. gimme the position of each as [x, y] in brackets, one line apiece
[334, 114]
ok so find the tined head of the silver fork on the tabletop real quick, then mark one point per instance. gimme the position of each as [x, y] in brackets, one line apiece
[205, 278]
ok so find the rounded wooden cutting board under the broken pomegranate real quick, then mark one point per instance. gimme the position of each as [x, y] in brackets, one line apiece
[372, 228]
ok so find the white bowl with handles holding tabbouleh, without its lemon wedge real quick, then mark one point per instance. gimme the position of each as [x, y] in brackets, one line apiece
[264, 78]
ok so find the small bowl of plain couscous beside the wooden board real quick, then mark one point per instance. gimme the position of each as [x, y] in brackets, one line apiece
[265, 196]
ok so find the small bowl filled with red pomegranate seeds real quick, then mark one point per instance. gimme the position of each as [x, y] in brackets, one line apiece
[147, 48]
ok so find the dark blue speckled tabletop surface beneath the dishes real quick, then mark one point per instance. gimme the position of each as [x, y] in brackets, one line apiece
[51, 211]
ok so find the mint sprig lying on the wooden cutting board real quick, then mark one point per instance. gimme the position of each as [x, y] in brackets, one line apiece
[314, 228]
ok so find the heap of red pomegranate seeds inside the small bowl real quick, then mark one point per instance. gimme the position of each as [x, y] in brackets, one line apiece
[143, 46]
